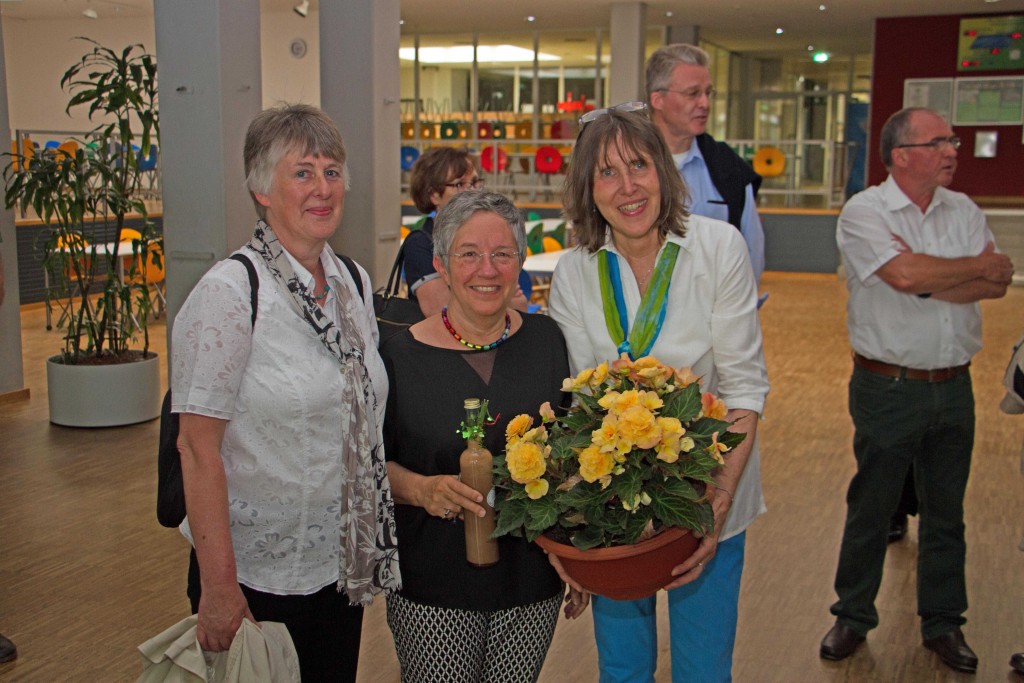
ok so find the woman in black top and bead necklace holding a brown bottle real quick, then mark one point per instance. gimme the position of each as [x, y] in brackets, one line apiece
[453, 622]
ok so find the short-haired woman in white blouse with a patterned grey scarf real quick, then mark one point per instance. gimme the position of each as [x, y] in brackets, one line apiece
[281, 394]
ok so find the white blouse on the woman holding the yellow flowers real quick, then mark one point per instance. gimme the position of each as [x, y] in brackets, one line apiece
[711, 325]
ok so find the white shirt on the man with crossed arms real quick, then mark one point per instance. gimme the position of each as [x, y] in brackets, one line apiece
[905, 329]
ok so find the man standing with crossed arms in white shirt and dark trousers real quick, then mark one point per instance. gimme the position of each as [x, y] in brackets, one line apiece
[919, 259]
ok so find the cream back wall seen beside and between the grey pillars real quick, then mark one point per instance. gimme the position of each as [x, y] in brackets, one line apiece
[38, 53]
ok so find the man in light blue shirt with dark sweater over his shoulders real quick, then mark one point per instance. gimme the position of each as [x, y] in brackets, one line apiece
[721, 185]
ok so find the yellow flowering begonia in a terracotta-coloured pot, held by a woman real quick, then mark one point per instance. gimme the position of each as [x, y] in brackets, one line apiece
[627, 471]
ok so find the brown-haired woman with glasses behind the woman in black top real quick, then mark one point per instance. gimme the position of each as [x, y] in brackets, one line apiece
[438, 177]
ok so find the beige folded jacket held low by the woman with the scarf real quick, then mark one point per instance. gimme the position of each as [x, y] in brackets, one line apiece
[258, 654]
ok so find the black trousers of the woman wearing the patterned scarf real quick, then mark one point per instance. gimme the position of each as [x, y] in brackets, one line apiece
[325, 628]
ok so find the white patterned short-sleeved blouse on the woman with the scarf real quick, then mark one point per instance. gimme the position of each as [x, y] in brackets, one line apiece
[279, 390]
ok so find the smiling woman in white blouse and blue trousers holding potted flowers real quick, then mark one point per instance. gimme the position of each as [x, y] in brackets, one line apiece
[681, 289]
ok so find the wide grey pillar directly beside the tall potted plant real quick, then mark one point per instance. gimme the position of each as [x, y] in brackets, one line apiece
[208, 57]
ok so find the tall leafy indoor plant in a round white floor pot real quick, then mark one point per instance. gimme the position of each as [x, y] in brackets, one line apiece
[91, 191]
